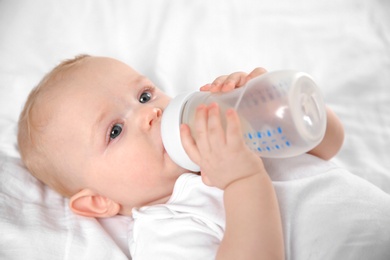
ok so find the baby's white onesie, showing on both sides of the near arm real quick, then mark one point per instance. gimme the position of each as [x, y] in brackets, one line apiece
[323, 209]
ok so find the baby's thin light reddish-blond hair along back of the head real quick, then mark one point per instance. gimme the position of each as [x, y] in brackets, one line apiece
[31, 128]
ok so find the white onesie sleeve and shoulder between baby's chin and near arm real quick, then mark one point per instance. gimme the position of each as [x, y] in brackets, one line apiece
[158, 231]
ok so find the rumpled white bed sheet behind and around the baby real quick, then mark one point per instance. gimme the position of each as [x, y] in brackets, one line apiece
[181, 45]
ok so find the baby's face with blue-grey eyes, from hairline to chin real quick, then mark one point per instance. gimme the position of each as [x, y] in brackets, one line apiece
[107, 119]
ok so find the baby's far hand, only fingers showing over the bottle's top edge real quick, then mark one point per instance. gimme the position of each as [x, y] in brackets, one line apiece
[229, 82]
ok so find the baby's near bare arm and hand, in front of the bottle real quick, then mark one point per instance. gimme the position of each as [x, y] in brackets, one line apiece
[253, 223]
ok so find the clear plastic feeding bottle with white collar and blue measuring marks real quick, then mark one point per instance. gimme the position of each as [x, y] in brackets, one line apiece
[282, 114]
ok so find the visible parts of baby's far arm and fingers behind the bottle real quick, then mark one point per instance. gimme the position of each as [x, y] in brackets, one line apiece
[334, 134]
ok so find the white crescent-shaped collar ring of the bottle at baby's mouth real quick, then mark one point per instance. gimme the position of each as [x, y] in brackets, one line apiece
[170, 132]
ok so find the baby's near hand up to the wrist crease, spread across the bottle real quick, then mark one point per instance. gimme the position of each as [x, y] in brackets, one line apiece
[221, 154]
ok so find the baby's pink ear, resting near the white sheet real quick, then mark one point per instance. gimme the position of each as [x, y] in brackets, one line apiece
[90, 204]
